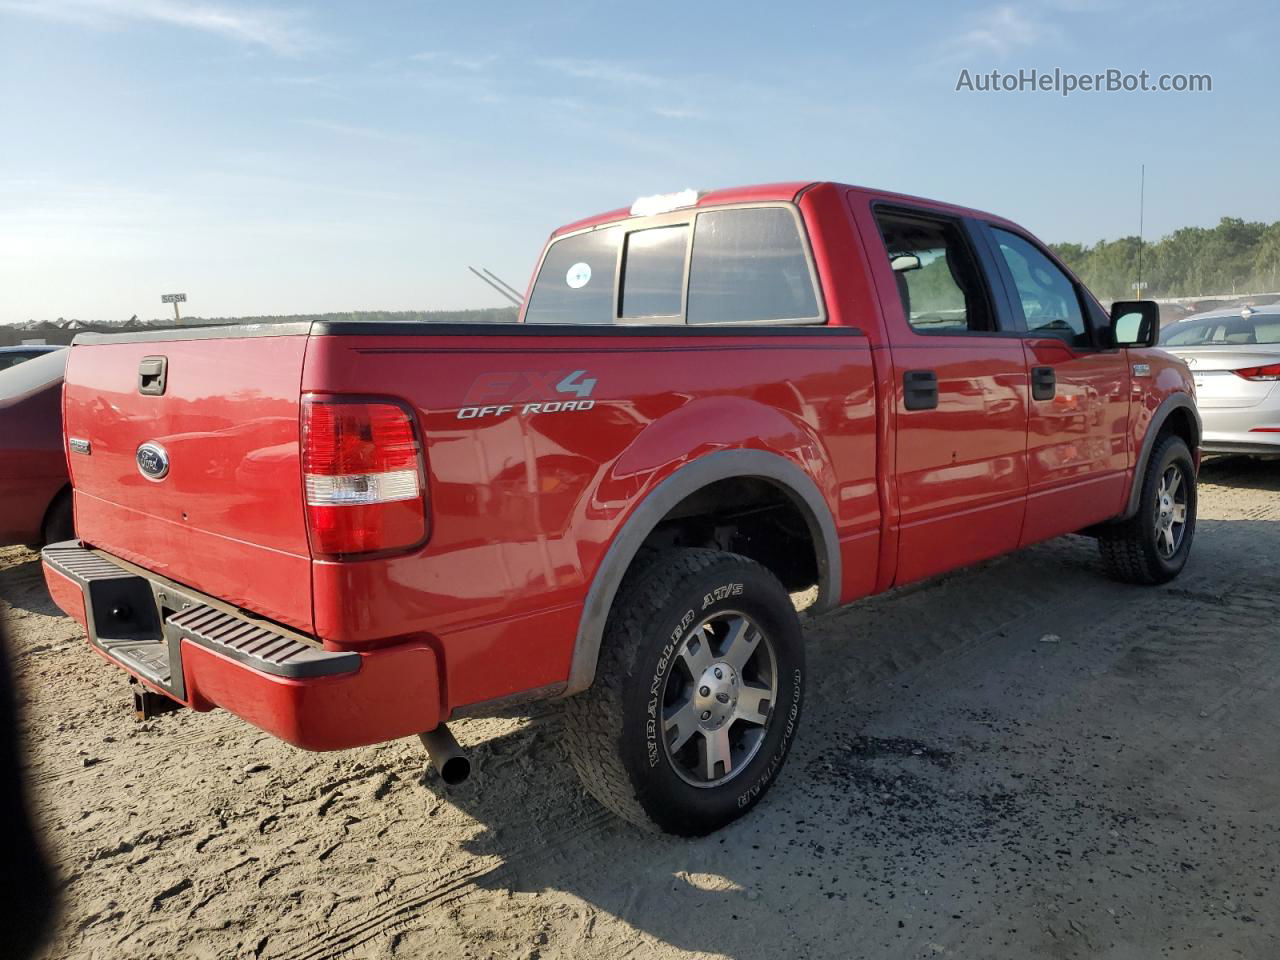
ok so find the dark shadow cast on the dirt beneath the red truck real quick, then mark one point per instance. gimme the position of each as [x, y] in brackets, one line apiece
[959, 776]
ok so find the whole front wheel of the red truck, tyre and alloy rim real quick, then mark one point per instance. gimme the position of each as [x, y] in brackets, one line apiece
[1154, 545]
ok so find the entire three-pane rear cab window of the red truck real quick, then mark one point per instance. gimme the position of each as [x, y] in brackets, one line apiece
[716, 266]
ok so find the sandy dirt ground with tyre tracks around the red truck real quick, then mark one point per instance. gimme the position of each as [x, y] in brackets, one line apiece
[1022, 761]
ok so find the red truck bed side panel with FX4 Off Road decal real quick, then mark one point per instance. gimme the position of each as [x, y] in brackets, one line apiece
[524, 506]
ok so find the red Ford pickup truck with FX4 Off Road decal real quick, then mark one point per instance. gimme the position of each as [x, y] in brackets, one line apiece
[354, 532]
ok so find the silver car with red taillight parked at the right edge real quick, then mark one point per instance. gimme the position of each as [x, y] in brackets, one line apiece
[1235, 356]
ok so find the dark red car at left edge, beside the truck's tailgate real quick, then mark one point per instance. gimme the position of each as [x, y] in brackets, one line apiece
[35, 491]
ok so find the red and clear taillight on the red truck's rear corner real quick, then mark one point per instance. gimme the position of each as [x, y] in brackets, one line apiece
[363, 477]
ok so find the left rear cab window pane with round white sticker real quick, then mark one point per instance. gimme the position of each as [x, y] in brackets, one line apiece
[575, 284]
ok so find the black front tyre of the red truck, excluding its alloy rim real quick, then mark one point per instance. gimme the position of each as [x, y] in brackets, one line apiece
[1130, 550]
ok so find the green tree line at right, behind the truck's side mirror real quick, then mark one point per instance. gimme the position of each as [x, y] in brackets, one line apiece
[1237, 257]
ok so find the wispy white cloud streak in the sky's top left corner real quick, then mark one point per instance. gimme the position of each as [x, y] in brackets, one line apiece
[280, 31]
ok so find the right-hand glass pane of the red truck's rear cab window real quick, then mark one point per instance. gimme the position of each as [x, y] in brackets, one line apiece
[749, 266]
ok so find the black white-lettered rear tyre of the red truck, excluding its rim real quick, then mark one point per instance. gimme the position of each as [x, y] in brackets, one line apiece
[615, 732]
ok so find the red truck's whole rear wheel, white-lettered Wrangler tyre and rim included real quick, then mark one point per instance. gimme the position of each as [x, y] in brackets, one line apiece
[697, 696]
